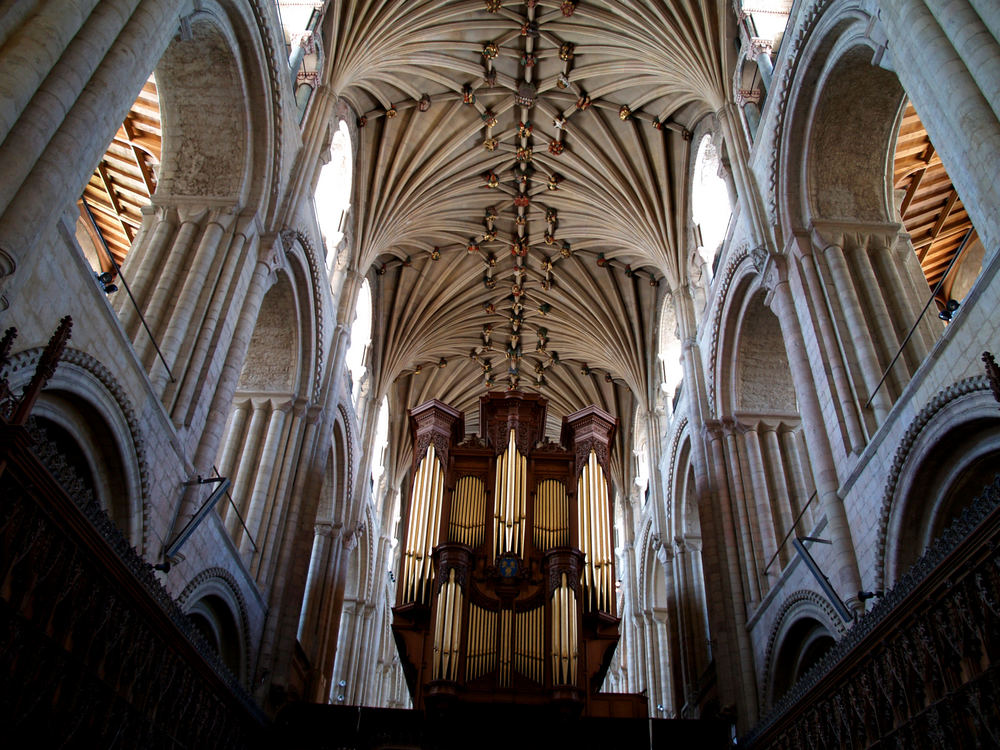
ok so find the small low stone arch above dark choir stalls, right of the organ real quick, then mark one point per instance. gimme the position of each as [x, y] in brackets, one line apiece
[793, 645]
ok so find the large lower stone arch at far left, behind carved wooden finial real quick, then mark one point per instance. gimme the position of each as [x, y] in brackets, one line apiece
[89, 408]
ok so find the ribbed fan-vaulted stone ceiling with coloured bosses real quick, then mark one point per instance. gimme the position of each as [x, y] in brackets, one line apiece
[520, 189]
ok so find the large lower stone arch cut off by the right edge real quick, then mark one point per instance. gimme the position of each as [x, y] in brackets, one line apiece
[950, 451]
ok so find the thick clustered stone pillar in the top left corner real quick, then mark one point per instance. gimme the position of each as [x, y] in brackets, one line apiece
[72, 77]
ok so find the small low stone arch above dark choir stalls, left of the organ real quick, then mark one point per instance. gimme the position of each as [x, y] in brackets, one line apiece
[213, 602]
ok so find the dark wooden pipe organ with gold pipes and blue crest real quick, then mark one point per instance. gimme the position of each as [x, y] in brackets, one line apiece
[506, 588]
